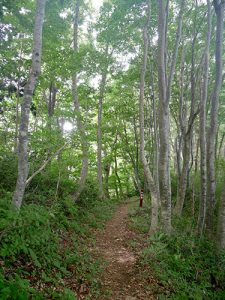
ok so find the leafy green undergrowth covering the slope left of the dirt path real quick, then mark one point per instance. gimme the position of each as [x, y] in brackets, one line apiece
[43, 249]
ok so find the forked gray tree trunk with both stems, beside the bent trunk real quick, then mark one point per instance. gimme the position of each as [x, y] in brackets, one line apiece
[164, 98]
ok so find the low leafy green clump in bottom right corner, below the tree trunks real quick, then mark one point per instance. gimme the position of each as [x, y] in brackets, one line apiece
[186, 265]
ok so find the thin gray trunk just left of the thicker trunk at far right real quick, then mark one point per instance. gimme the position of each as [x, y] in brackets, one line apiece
[202, 126]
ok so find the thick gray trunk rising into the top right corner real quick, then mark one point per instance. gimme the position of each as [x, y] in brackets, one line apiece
[211, 184]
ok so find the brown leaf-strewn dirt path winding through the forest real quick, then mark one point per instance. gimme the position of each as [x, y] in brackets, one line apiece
[120, 277]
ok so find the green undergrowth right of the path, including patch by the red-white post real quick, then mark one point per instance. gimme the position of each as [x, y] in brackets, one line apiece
[186, 266]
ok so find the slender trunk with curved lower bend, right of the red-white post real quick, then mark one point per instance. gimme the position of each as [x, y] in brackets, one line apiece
[149, 178]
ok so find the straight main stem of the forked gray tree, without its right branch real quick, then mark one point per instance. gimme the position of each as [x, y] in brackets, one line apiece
[164, 178]
